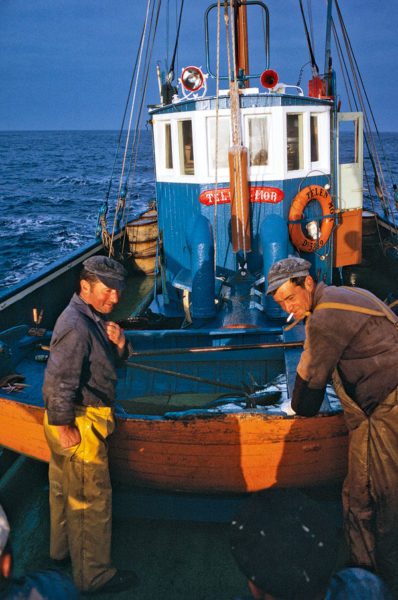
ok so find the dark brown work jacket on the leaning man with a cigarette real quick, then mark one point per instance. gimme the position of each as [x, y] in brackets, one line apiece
[363, 348]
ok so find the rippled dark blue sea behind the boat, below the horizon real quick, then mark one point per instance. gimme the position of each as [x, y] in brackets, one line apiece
[53, 184]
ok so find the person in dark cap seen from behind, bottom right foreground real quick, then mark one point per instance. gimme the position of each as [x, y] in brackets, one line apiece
[287, 546]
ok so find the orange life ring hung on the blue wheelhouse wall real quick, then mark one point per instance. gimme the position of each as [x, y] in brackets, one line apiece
[311, 192]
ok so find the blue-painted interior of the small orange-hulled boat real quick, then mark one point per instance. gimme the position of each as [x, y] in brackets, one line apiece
[172, 380]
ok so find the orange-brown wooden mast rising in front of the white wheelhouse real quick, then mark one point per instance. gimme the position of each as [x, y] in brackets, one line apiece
[238, 154]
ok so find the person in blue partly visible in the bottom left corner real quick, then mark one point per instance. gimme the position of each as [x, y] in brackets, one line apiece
[39, 585]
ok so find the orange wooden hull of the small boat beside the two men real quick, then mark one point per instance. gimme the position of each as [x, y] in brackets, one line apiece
[209, 453]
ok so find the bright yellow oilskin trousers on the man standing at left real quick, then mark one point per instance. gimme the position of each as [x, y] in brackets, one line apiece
[81, 498]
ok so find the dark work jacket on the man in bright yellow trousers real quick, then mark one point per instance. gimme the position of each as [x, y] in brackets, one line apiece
[81, 365]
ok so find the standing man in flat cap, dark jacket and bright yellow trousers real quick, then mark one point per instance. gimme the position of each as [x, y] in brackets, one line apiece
[79, 392]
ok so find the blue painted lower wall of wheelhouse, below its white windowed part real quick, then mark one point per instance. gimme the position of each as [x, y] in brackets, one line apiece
[179, 205]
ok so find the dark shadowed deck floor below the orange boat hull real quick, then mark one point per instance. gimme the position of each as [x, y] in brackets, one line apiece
[191, 558]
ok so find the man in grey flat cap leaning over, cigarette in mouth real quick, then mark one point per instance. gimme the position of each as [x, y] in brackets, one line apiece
[352, 337]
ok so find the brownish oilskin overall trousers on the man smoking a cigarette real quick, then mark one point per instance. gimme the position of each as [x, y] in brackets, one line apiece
[370, 490]
